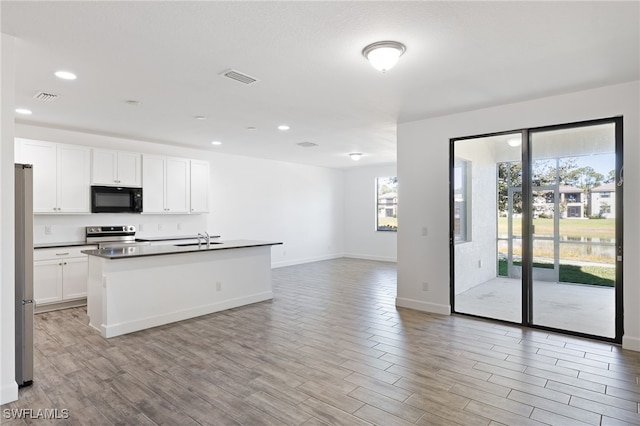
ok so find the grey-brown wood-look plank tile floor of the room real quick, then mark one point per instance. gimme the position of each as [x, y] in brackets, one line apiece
[330, 348]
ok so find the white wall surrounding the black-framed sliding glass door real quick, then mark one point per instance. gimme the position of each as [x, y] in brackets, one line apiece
[423, 170]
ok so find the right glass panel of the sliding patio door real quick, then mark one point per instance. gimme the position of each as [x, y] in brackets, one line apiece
[573, 228]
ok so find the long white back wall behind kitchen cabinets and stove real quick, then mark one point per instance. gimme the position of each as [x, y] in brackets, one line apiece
[249, 198]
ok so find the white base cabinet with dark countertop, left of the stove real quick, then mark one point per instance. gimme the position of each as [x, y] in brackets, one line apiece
[60, 277]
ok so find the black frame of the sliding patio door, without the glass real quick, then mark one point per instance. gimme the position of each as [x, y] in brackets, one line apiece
[527, 224]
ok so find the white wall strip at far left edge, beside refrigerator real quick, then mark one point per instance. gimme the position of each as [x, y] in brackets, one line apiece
[8, 386]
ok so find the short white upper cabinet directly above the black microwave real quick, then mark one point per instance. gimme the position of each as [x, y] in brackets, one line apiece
[116, 168]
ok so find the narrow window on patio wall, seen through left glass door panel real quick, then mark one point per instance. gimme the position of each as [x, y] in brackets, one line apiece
[461, 200]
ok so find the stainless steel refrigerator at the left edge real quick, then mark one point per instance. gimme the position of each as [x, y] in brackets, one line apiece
[24, 273]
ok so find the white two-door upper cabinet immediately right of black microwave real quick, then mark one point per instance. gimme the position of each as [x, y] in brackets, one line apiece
[166, 184]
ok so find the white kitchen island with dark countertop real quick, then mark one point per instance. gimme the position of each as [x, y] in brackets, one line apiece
[135, 288]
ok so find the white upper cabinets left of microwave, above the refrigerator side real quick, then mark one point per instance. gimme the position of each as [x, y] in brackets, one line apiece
[61, 176]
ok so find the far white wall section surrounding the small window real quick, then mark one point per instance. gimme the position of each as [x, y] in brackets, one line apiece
[361, 238]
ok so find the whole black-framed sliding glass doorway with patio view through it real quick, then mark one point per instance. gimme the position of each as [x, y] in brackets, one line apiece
[536, 227]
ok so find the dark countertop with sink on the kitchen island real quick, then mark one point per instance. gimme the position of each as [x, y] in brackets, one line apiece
[144, 251]
